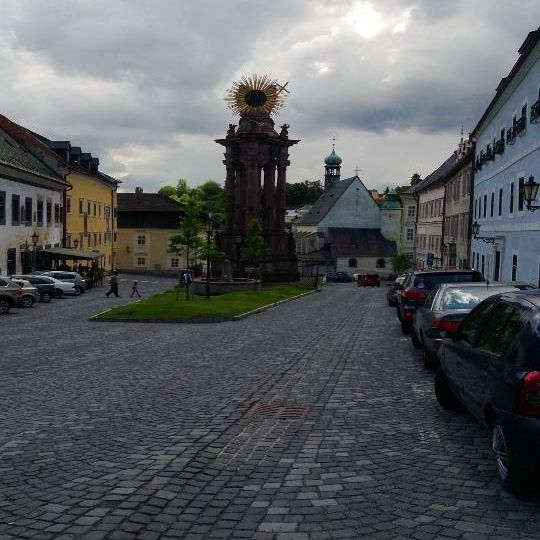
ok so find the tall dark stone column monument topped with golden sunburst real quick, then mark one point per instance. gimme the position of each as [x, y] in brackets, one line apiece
[256, 160]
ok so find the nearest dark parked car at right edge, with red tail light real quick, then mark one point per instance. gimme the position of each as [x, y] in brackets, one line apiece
[491, 365]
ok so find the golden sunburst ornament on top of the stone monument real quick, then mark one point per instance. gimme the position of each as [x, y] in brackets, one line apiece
[257, 94]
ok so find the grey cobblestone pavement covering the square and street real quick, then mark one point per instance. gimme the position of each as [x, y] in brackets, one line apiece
[314, 420]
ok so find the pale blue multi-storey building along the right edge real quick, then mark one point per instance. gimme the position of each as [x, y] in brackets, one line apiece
[507, 247]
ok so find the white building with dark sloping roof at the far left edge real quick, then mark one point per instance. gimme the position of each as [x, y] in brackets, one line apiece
[30, 202]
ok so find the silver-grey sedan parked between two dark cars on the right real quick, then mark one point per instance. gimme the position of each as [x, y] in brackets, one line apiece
[445, 307]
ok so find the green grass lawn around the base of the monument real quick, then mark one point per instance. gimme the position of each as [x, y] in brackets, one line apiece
[164, 306]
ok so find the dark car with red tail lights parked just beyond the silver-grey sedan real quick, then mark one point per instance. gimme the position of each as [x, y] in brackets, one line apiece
[419, 284]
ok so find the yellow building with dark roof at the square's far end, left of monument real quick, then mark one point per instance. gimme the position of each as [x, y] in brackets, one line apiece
[146, 221]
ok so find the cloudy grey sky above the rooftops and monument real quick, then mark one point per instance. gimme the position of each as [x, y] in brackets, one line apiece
[141, 83]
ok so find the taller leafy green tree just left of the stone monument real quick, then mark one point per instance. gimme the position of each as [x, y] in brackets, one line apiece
[188, 239]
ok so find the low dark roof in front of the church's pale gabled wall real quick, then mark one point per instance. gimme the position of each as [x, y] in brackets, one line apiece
[348, 242]
